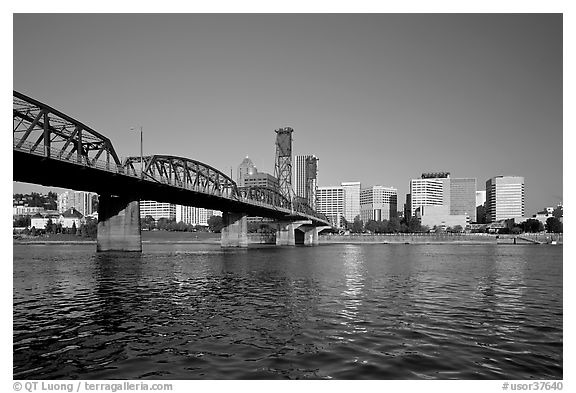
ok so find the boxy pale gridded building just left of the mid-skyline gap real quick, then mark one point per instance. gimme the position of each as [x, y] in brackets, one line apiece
[378, 203]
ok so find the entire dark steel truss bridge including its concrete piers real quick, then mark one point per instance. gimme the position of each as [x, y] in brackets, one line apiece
[53, 149]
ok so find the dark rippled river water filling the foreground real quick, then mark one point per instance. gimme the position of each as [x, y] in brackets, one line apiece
[339, 311]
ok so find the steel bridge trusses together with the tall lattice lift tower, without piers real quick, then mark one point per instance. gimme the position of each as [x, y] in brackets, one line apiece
[57, 140]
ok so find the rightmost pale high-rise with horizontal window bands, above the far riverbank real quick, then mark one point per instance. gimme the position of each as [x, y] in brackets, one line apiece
[505, 198]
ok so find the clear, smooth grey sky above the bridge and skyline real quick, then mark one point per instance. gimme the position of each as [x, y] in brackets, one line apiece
[378, 98]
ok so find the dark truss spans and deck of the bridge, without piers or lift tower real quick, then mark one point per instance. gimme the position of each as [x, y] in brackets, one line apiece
[53, 149]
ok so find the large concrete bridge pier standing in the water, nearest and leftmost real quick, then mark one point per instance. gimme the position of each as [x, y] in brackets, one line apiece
[118, 224]
